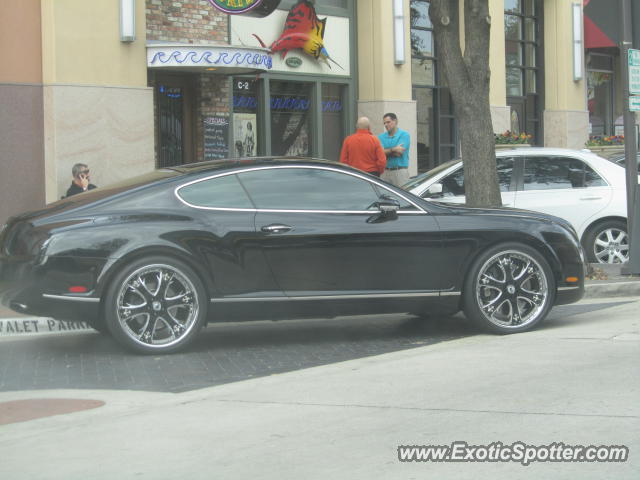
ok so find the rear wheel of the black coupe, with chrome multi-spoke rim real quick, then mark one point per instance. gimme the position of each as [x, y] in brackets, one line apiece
[155, 305]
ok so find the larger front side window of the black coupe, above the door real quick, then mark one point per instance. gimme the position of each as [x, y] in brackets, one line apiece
[307, 189]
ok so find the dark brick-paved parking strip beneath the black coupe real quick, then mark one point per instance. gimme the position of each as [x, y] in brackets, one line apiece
[225, 353]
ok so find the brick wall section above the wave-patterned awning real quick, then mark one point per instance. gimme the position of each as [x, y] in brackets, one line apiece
[189, 21]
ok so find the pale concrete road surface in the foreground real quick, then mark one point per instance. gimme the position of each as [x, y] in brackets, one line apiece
[575, 381]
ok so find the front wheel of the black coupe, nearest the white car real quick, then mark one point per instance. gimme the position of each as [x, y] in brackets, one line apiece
[509, 288]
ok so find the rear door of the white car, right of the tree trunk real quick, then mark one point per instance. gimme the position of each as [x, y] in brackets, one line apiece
[562, 186]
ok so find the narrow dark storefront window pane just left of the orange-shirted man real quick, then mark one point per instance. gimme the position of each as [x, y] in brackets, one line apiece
[332, 120]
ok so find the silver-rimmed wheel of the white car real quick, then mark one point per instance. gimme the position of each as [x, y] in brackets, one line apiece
[607, 242]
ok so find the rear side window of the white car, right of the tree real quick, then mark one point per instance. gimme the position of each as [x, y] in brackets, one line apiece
[546, 173]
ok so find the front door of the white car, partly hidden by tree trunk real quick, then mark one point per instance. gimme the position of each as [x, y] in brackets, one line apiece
[453, 184]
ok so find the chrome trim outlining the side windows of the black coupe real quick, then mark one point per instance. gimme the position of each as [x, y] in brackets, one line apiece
[420, 210]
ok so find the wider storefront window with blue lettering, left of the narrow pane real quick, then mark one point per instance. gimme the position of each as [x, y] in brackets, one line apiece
[290, 118]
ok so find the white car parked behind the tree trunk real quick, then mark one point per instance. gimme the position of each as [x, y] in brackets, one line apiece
[576, 185]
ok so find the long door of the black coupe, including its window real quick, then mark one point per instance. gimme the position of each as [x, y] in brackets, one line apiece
[322, 234]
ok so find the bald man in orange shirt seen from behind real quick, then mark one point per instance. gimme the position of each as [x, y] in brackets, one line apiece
[363, 150]
